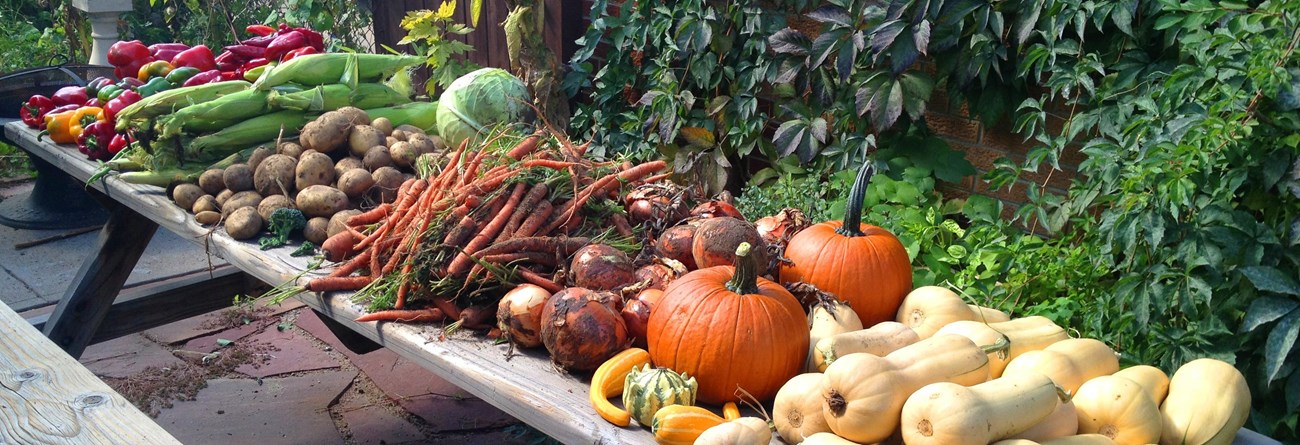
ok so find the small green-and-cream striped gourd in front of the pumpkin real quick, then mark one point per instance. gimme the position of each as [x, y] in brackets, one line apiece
[652, 388]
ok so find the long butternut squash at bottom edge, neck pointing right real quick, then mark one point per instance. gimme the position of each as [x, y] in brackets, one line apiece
[951, 414]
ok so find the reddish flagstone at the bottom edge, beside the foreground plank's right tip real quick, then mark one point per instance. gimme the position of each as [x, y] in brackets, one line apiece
[276, 412]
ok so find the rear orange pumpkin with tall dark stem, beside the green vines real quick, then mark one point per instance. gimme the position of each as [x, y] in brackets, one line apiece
[864, 265]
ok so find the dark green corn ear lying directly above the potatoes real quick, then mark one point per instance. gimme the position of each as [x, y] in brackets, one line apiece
[250, 132]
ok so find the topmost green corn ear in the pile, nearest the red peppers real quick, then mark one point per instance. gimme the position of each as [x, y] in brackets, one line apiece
[330, 68]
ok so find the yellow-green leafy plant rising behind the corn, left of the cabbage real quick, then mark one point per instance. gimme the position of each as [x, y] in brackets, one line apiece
[431, 33]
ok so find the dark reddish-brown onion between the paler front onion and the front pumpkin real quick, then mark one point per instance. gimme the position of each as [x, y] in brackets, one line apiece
[582, 331]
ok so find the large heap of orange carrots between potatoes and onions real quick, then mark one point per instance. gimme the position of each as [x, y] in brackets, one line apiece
[489, 215]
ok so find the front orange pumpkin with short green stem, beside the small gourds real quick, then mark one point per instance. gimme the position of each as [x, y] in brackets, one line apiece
[731, 330]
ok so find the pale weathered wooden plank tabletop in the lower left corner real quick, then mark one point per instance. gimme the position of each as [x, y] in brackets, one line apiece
[46, 398]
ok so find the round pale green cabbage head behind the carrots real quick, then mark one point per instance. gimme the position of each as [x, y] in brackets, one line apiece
[478, 102]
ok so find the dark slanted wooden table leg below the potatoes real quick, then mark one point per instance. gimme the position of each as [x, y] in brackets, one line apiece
[101, 279]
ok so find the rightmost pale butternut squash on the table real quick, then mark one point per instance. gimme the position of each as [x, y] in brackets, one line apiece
[1207, 405]
